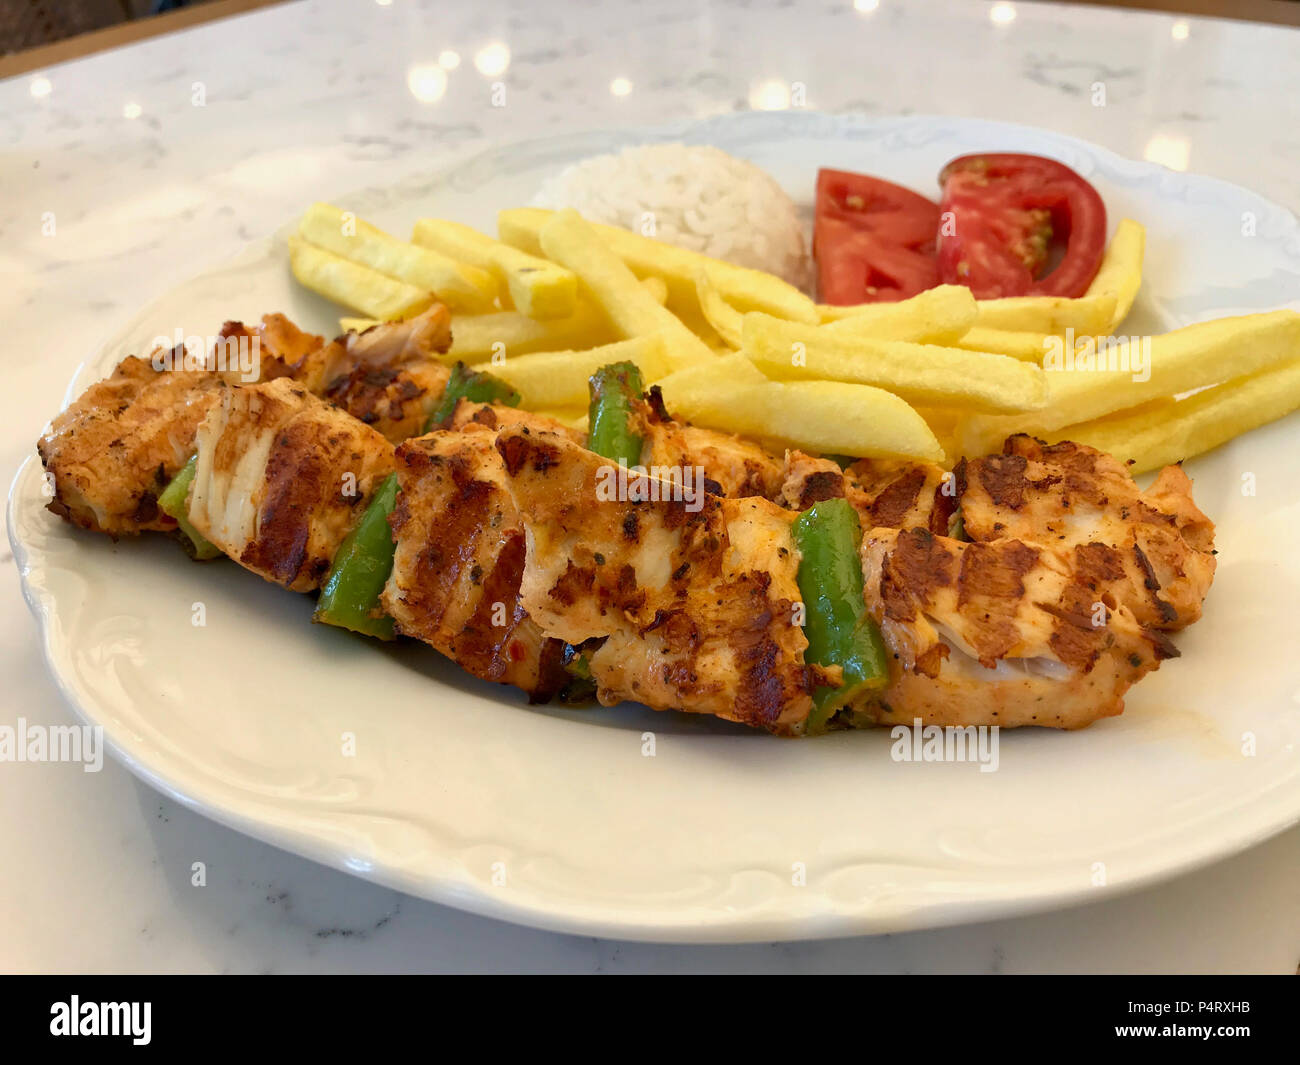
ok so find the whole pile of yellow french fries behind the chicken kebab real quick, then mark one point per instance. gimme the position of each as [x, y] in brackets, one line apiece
[553, 298]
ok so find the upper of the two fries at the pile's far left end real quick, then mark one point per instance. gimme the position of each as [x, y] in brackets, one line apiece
[462, 288]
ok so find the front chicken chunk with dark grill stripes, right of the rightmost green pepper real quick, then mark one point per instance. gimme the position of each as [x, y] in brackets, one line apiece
[1004, 634]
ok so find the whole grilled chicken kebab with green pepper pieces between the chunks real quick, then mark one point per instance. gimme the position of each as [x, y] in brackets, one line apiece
[792, 594]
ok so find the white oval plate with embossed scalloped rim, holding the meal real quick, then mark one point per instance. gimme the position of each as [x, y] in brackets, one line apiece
[462, 793]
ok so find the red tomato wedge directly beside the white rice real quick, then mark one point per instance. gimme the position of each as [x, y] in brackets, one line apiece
[873, 241]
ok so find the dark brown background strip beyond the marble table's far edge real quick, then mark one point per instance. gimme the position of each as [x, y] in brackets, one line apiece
[38, 33]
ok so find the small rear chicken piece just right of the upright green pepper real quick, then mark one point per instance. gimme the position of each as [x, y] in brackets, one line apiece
[738, 467]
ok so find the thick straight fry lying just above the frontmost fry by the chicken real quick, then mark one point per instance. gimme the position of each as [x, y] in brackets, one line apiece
[921, 374]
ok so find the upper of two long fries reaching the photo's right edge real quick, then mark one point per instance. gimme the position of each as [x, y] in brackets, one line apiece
[1190, 358]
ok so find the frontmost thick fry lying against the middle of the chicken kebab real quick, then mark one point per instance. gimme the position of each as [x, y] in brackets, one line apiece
[820, 417]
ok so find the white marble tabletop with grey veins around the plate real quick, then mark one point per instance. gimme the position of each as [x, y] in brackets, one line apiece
[307, 101]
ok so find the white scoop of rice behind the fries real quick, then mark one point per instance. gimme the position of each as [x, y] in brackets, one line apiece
[697, 198]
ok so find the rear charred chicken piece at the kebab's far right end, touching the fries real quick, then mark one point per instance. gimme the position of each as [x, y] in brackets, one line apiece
[1152, 552]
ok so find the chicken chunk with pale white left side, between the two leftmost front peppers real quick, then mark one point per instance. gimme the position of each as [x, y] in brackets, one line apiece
[281, 479]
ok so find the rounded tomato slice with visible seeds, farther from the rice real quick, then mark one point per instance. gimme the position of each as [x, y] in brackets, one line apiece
[1019, 226]
